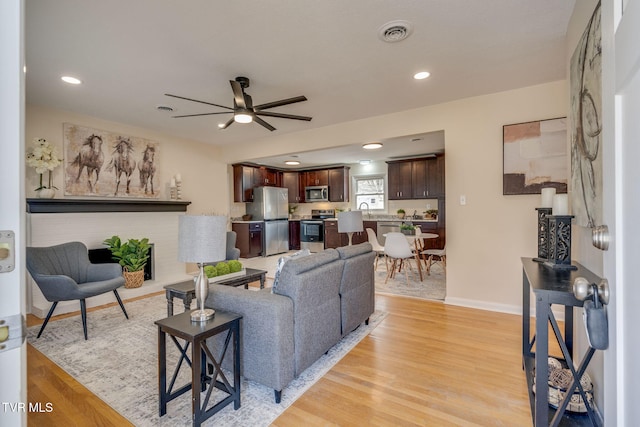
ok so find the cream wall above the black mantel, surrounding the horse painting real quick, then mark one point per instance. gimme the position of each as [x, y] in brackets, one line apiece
[204, 176]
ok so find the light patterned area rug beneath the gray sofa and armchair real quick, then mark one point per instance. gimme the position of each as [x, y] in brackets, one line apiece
[119, 364]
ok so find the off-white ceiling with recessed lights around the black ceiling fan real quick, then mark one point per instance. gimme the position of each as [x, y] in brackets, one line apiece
[130, 53]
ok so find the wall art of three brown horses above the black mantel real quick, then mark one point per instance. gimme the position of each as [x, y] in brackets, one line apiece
[107, 164]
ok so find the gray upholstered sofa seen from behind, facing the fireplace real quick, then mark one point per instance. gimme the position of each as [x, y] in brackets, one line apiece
[317, 300]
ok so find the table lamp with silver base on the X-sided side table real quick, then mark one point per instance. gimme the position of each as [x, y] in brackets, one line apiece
[202, 239]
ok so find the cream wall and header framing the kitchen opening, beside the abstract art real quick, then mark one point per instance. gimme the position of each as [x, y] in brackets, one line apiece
[487, 236]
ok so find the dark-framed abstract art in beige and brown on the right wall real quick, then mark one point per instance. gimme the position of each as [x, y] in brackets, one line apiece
[535, 155]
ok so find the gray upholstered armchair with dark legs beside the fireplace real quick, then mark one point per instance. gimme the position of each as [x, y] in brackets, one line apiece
[64, 273]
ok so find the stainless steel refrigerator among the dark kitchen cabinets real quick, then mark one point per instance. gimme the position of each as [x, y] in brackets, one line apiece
[271, 205]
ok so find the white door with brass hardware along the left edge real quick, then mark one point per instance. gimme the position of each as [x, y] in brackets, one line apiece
[13, 392]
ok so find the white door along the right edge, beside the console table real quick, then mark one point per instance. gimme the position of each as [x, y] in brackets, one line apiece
[621, 406]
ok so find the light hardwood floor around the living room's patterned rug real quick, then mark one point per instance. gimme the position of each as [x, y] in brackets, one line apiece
[426, 364]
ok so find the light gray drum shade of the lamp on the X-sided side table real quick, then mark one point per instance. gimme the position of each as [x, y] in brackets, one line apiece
[202, 238]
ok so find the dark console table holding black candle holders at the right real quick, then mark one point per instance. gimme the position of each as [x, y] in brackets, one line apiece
[551, 286]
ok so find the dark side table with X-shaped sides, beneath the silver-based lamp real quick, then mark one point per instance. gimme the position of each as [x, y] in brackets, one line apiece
[195, 335]
